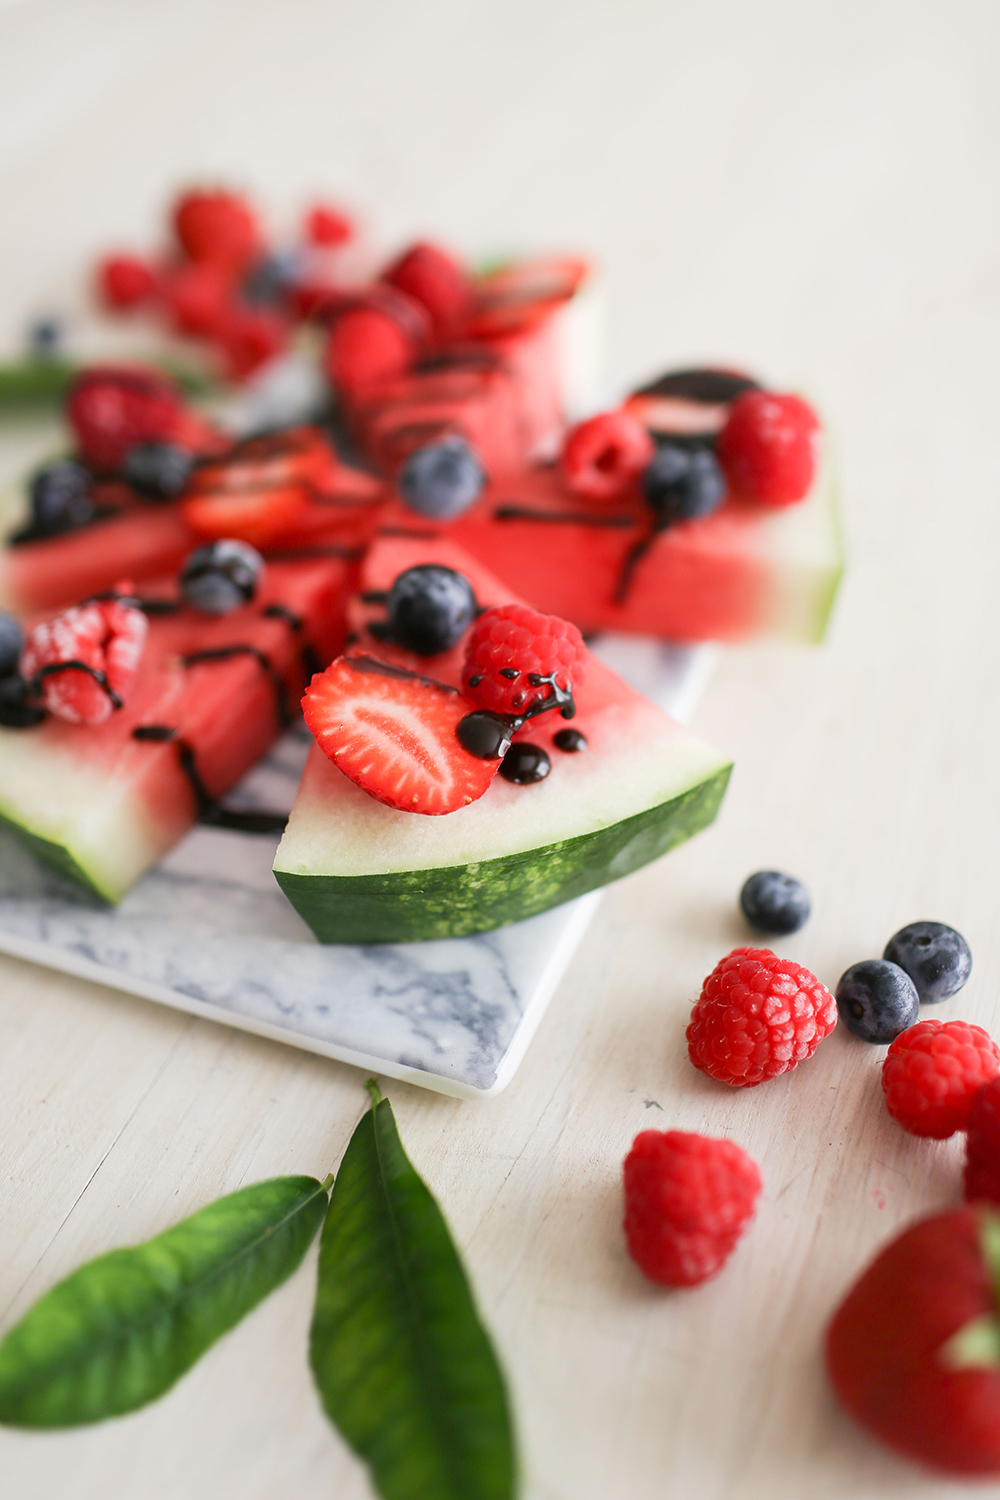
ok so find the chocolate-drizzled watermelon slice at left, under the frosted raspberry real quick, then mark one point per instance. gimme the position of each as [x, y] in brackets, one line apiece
[212, 694]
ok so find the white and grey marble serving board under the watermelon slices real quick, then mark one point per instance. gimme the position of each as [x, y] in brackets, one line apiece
[211, 932]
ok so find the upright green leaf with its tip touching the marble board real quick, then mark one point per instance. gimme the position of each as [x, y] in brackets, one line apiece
[403, 1363]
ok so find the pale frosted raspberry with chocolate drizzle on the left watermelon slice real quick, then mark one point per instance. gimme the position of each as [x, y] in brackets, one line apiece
[103, 641]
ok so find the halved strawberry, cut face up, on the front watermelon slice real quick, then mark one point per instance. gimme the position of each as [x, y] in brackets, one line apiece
[395, 734]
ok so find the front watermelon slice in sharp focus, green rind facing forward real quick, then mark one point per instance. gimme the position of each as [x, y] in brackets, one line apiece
[362, 872]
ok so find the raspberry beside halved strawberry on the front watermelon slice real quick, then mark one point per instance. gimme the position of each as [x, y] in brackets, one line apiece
[507, 647]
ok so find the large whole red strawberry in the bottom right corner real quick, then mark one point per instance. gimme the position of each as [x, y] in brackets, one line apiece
[914, 1351]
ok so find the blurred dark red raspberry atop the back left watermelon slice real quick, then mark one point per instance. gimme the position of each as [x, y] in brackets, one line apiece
[113, 409]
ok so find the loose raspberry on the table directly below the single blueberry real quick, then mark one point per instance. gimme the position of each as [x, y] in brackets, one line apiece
[758, 1016]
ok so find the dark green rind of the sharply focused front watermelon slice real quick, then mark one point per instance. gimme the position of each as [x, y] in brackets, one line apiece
[464, 899]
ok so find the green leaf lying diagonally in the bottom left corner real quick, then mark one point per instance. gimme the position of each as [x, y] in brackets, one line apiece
[124, 1328]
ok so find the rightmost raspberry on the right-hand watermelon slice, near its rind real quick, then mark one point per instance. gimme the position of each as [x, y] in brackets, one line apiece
[770, 448]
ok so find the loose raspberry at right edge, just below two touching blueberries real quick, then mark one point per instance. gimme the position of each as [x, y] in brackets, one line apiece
[932, 1073]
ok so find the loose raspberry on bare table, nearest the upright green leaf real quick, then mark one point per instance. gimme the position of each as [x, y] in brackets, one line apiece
[687, 1202]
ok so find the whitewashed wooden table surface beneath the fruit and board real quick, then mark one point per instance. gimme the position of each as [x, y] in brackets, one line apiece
[806, 188]
